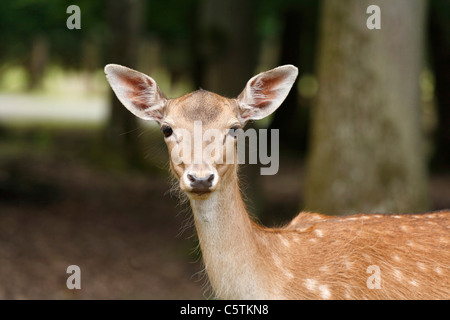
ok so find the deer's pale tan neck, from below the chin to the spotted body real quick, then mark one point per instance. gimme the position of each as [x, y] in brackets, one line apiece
[227, 239]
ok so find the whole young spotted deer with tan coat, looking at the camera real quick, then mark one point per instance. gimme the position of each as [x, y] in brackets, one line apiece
[315, 256]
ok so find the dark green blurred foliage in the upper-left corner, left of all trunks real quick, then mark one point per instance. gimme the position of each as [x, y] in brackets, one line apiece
[23, 20]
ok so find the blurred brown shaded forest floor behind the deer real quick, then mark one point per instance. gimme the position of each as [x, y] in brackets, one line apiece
[121, 227]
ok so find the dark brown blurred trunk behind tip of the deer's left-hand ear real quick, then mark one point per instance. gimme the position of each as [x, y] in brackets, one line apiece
[123, 17]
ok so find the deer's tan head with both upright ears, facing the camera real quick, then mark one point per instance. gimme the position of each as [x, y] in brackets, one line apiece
[194, 121]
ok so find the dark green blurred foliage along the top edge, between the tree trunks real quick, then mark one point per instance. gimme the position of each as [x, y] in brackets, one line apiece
[173, 22]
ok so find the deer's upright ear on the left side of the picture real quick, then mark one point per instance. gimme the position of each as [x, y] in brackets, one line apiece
[138, 92]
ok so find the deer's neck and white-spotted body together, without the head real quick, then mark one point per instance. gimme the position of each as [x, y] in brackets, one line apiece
[320, 257]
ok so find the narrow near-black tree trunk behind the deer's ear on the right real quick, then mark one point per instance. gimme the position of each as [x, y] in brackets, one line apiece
[298, 47]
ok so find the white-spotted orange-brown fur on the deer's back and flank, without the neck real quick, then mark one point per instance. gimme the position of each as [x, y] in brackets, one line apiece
[411, 251]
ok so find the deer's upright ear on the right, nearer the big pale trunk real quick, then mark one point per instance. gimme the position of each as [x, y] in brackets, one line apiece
[265, 92]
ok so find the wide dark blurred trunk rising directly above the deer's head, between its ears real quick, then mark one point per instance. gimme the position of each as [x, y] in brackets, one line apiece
[229, 45]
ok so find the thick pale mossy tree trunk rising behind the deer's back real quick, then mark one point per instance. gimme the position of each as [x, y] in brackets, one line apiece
[366, 152]
